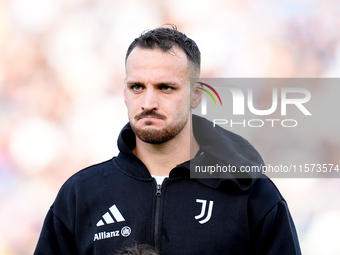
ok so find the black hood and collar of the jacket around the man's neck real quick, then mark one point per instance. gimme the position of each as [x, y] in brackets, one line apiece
[218, 144]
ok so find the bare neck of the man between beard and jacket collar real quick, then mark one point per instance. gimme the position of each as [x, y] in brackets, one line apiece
[160, 159]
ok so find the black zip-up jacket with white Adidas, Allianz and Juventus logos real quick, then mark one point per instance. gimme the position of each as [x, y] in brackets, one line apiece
[117, 203]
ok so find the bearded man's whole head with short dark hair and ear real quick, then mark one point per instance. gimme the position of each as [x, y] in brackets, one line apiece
[157, 91]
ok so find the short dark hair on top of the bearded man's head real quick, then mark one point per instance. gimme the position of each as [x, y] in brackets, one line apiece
[165, 38]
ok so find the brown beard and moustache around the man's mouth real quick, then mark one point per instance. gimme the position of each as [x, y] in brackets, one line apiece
[157, 136]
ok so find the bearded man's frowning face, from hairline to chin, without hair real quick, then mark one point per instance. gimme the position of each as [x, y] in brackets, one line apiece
[157, 94]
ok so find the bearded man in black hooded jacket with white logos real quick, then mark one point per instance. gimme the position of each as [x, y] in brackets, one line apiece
[146, 195]
